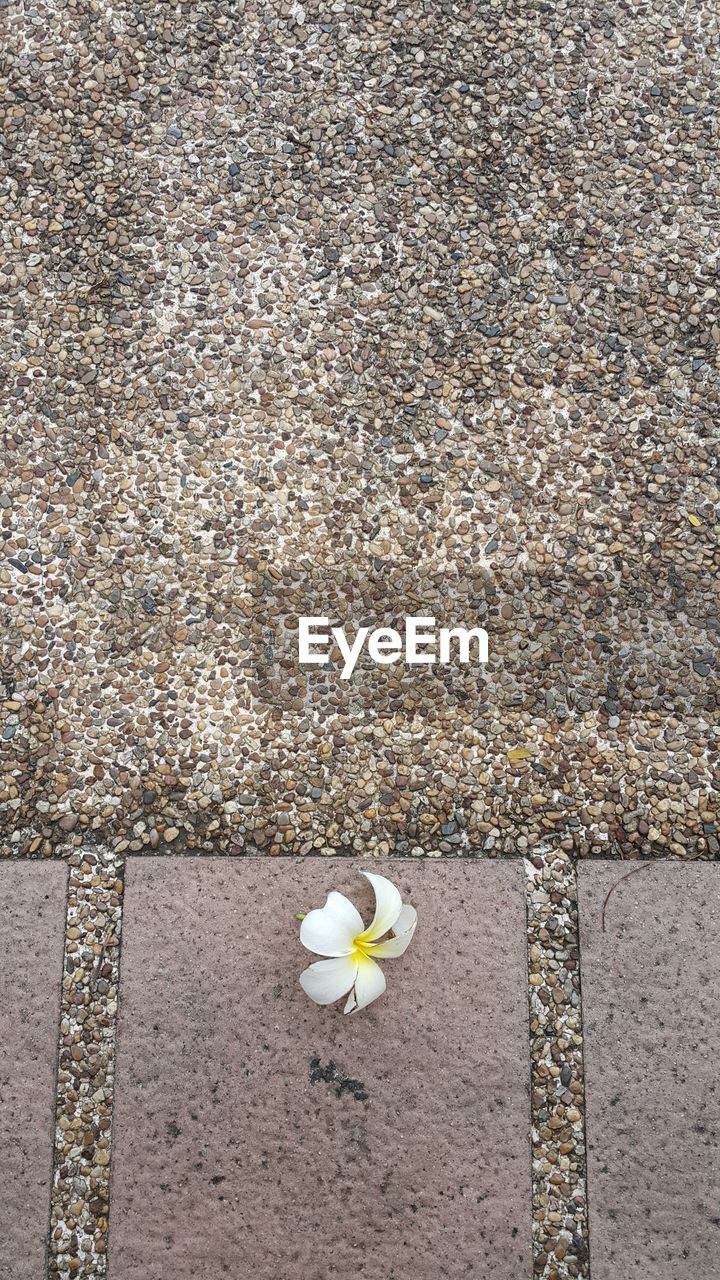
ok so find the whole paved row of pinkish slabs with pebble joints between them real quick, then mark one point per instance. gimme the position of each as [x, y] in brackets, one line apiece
[207, 1112]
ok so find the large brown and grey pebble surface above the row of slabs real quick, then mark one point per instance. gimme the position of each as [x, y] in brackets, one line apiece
[389, 310]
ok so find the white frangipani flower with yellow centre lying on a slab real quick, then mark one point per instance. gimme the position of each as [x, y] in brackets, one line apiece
[338, 931]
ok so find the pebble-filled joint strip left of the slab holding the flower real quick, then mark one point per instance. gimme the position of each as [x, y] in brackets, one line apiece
[84, 1117]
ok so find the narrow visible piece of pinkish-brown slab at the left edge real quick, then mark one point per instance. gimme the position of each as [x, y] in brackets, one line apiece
[33, 918]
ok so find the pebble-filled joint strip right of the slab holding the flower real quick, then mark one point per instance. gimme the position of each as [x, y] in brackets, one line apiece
[560, 1208]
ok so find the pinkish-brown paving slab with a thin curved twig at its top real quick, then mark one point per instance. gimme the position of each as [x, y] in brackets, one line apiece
[651, 1003]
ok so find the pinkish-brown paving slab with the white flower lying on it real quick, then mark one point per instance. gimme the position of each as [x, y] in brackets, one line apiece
[258, 1135]
